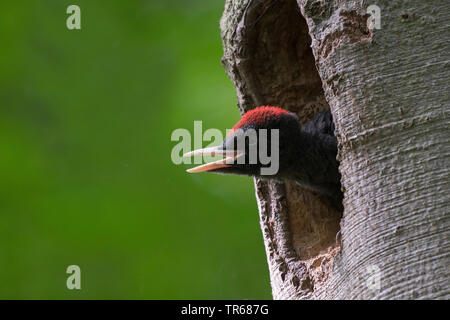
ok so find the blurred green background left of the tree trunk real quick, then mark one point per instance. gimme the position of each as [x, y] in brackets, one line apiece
[86, 176]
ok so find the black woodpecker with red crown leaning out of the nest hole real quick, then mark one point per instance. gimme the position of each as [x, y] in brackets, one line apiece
[307, 154]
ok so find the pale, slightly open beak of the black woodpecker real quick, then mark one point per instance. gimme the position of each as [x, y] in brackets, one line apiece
[230, 157]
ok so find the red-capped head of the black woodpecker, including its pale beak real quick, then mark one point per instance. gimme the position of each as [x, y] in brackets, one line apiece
[263, 136]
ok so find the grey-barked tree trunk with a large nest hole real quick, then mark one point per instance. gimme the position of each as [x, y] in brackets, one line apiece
[388, 92]
